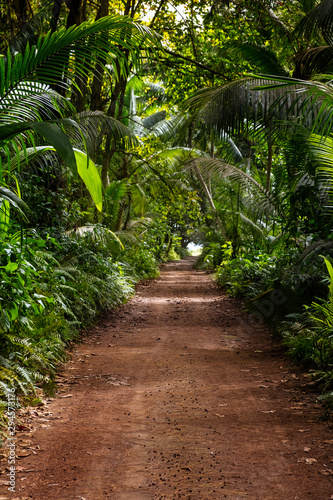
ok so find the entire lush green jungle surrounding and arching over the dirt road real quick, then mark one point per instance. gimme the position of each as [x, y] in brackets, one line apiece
[130, 131]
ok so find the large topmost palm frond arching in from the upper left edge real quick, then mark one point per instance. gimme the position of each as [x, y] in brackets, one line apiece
[69, 53]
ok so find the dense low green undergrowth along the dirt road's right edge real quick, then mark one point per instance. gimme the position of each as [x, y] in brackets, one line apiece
[292, 294]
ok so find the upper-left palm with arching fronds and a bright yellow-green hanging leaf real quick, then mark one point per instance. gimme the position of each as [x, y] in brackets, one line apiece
[29, 107]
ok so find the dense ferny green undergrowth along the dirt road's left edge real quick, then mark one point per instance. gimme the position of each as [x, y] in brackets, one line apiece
[50, 291]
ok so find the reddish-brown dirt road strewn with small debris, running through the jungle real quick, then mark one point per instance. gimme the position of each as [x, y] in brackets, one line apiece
[177, 394]
